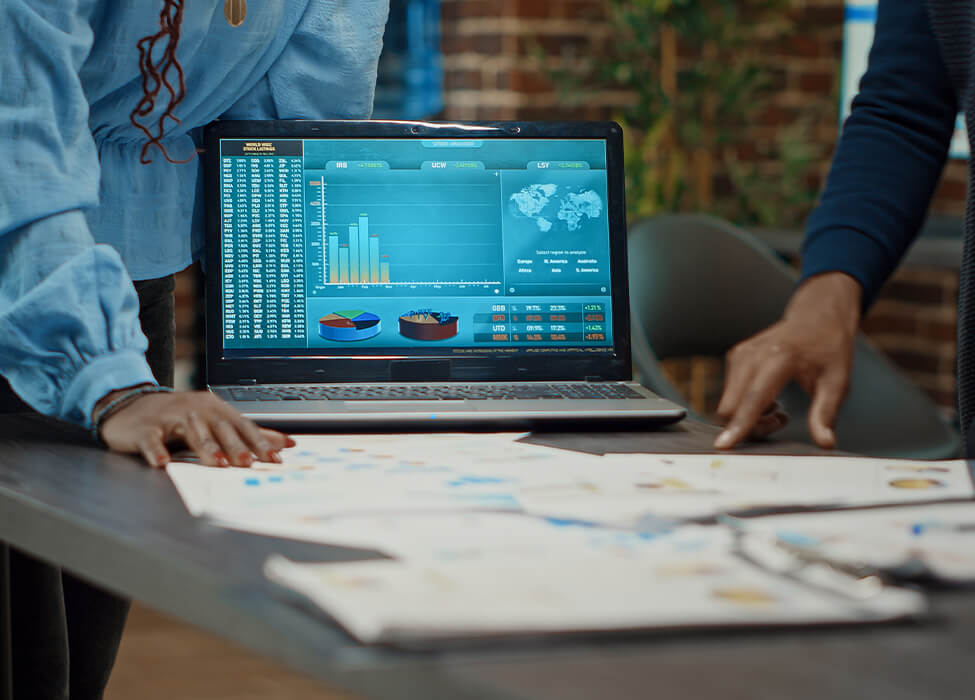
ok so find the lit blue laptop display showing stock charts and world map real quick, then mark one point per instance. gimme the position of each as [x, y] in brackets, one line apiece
[421, 246]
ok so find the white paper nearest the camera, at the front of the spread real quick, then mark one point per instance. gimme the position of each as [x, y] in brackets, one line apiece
[689, 578]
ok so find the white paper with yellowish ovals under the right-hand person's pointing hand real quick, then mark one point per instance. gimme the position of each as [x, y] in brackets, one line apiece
[628, 488]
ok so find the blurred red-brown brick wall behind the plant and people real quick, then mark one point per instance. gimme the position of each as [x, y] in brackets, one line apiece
[493, 69]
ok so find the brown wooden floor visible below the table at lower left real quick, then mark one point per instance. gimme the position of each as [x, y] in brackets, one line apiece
[162, 659]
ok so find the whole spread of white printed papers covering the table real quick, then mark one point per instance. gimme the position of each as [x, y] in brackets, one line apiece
[492, 536]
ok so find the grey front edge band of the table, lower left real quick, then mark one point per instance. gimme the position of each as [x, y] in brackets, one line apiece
[247, 616]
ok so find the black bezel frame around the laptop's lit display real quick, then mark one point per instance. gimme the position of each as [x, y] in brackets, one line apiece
[614, 365]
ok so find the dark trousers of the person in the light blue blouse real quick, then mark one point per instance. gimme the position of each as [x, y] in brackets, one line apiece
[66, 631]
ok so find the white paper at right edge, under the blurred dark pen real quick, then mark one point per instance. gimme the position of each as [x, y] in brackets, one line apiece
[936, 540]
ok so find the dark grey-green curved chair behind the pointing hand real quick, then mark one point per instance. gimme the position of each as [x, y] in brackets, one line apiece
[699, 285]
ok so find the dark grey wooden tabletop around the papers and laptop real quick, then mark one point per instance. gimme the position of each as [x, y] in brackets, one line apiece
[110, 519]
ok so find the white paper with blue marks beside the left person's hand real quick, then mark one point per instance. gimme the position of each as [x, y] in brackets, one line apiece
[335, 475]
